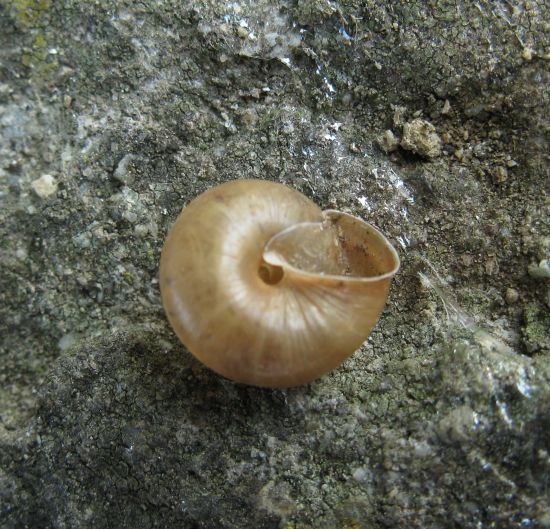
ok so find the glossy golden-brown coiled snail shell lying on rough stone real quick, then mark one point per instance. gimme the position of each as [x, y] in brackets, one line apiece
[265, 288]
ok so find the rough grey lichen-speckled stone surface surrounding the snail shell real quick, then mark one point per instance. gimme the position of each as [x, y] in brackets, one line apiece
[441, 419]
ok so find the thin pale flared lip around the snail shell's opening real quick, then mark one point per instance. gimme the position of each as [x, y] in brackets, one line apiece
[349, 279]
